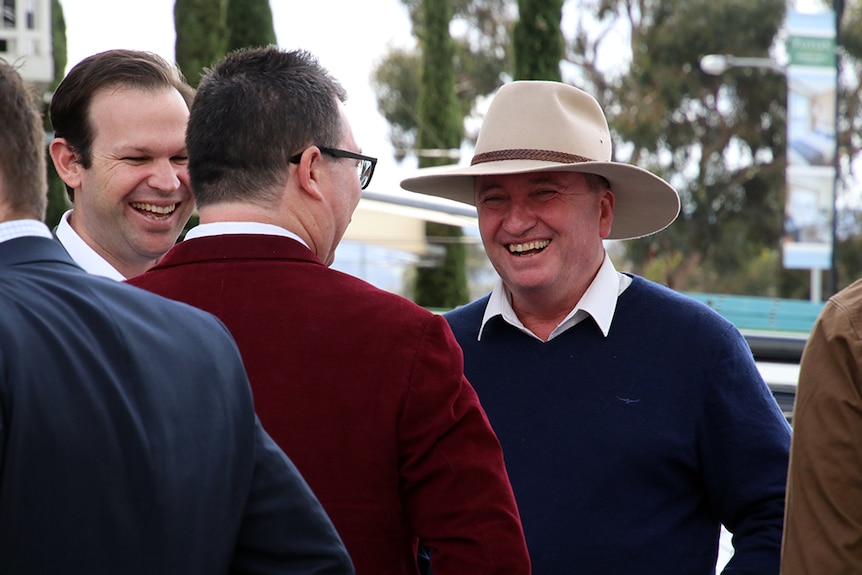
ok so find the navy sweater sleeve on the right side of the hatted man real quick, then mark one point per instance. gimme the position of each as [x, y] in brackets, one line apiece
[745, 442]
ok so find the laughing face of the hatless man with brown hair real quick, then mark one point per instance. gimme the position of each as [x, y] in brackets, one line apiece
[135, 198]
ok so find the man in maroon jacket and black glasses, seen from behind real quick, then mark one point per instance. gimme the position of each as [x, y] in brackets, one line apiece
[363, 389]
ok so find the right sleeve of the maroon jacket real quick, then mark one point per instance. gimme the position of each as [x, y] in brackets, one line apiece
[453, 479]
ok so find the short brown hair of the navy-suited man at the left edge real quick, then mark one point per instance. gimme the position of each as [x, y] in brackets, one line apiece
[22, 148]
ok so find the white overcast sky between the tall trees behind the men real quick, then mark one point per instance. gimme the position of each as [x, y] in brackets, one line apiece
[348, 37]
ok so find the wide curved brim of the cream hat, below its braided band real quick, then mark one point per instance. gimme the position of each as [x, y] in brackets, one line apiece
[643, 203]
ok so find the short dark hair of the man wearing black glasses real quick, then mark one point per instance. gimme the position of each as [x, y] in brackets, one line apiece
[253, 110]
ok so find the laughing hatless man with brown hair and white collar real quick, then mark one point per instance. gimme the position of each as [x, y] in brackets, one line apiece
[119, 119]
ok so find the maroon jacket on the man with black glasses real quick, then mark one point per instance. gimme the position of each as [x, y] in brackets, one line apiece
[365, 392]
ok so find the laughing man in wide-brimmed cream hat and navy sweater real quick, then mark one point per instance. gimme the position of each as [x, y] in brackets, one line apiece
[633, 419]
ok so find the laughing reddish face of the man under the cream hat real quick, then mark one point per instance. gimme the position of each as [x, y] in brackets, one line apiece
[543, 231]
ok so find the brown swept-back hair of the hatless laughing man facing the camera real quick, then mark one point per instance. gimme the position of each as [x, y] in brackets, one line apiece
[70, 104]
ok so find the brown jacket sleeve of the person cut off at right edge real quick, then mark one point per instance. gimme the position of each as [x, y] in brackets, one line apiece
[823, 532]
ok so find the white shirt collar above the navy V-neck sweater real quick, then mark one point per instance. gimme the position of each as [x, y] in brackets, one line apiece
[598, 302]
